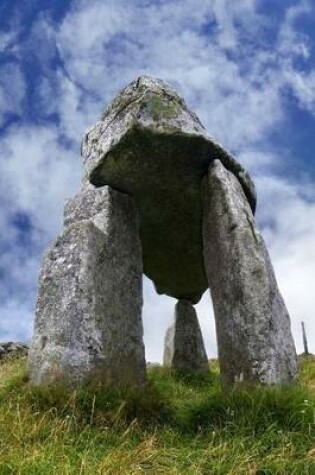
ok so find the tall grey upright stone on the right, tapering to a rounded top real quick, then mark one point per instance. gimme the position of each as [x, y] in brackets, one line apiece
[253, 325]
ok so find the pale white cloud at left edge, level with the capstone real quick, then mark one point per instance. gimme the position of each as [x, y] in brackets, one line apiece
[37, 173]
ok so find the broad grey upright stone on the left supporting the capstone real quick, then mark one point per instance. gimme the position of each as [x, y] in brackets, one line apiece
[88, 319]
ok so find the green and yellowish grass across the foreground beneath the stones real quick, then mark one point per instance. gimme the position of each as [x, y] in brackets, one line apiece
[181, 424]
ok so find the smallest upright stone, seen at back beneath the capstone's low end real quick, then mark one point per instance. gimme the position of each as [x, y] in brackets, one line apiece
[184, 349]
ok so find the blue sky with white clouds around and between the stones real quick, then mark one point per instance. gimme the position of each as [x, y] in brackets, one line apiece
[246, 67]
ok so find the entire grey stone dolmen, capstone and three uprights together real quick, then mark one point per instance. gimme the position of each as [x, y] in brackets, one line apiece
[159, 196]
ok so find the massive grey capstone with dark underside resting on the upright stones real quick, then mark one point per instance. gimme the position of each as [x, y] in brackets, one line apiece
[150, 145]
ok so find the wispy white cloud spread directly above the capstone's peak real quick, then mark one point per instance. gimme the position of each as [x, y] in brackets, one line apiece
[103, 46]
